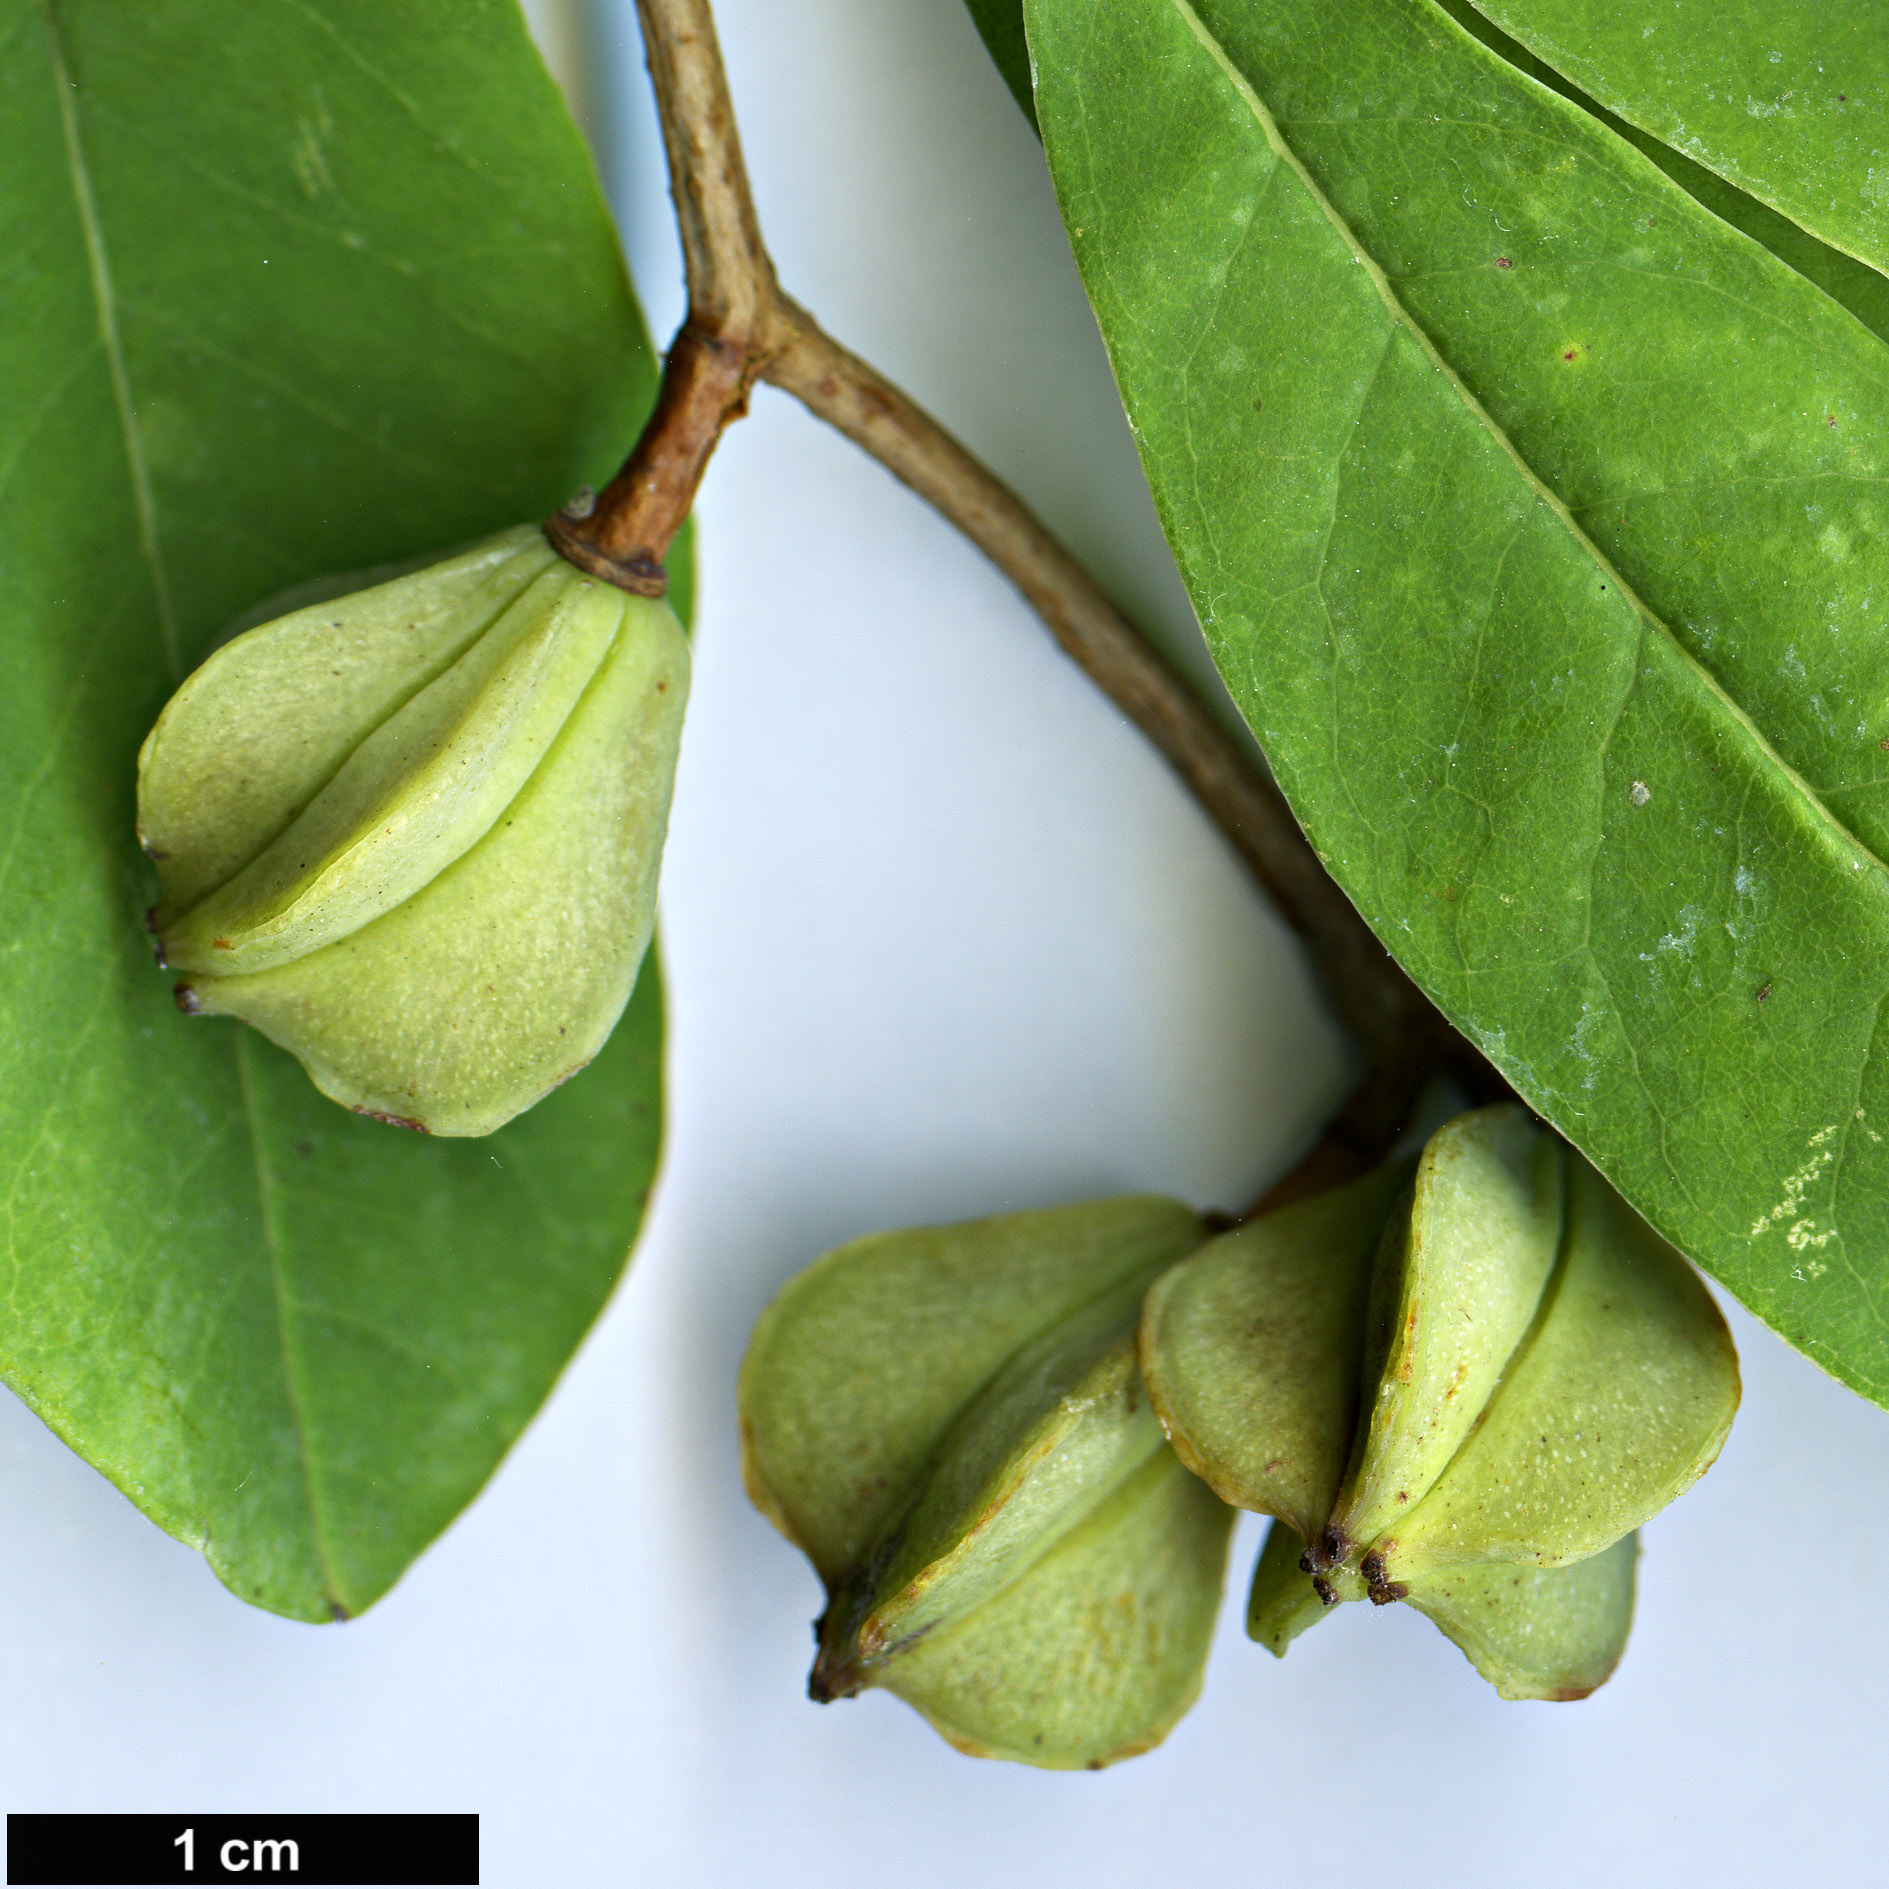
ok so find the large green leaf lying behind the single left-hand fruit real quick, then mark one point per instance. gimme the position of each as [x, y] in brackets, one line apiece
[290, 288]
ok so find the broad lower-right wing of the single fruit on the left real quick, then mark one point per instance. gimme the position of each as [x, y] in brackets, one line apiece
[507, 972]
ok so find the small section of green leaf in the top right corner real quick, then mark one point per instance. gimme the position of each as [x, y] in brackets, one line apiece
[1788, 103]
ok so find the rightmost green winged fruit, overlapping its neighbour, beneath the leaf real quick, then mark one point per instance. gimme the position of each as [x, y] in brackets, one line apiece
[1465, 1395]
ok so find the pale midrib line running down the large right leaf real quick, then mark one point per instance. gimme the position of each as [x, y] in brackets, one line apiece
[1486, 420]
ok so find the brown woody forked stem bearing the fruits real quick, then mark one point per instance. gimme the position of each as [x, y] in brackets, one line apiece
[741, 328]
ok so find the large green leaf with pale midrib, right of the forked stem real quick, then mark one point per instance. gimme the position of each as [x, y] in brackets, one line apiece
[1535, 517]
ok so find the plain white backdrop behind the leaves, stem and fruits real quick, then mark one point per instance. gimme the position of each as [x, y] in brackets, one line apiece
[944, 940]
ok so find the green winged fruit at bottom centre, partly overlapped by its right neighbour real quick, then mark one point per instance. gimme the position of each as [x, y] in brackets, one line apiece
[951, 1423]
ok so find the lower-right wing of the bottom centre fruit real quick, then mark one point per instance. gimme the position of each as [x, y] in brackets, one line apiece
[1100, 1648]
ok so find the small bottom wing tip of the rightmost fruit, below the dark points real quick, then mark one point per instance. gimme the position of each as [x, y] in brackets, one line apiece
[1539, 1633]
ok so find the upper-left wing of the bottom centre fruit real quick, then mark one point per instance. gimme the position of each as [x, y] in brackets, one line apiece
[866, 1359]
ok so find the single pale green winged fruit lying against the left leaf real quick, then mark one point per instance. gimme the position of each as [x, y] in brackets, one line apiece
[415, 834]
